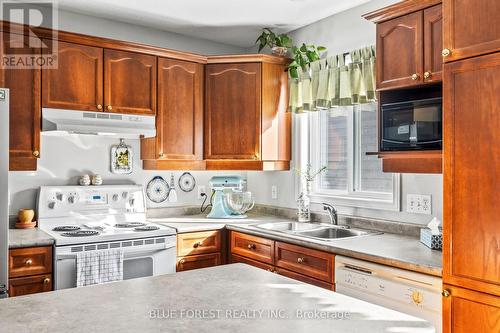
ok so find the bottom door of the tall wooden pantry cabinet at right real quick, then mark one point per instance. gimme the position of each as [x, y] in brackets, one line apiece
[466, 311]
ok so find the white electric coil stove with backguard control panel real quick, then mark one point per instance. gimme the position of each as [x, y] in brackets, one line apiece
[98, 218]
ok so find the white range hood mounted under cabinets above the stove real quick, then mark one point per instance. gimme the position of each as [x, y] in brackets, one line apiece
[60, 121]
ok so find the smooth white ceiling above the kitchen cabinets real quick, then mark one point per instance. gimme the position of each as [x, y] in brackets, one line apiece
[234, 22]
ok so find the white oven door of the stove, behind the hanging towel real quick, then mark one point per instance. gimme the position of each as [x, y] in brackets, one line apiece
[137, 262]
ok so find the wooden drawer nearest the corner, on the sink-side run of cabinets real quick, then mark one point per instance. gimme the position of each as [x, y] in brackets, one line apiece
[252, 247]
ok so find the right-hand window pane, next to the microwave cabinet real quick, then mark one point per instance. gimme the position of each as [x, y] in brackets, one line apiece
[372, 179]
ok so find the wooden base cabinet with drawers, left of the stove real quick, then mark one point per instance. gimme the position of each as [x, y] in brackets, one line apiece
[30, 270]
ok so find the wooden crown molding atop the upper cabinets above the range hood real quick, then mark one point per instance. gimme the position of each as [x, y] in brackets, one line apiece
[72, 37]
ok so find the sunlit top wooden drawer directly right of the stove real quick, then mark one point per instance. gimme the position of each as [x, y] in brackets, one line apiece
[198, 243]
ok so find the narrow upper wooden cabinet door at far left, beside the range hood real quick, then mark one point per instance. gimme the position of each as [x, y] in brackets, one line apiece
[24, 120]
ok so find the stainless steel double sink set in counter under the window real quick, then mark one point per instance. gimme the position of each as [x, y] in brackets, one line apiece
[319, 231]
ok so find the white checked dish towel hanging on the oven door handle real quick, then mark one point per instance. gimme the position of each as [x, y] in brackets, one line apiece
[96, 267]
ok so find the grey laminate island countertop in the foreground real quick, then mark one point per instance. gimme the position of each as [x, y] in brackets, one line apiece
[234, 298]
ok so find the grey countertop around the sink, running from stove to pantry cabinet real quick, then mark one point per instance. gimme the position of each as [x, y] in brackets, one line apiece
[388, 249]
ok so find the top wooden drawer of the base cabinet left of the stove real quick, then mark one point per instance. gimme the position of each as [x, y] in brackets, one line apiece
[30, 261]
